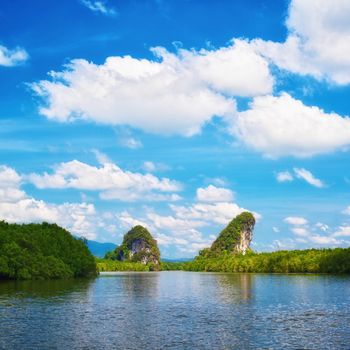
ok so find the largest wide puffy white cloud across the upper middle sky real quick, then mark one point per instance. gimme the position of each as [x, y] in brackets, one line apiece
[173, 94]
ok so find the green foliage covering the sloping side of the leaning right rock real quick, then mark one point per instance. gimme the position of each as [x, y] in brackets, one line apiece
[229, 237]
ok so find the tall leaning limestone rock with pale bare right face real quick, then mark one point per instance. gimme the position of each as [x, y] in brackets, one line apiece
[235, 237]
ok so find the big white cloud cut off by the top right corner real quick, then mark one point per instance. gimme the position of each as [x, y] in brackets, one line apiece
[318, 42]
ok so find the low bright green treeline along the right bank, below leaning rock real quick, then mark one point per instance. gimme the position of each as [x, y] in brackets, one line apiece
[295, 261]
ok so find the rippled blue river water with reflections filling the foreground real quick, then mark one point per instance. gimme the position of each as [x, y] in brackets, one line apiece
[177, 310]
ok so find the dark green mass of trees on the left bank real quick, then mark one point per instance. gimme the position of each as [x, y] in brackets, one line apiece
[42, 251]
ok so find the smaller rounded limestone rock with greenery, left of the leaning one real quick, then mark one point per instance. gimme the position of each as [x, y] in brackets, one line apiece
[139, 246]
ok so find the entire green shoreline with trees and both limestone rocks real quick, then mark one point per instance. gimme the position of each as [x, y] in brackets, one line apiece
[47, 251]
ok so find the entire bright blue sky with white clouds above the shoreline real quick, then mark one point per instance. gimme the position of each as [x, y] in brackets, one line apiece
[177, 115]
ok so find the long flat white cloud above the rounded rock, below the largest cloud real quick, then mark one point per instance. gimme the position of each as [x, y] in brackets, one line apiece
[111, 180]
